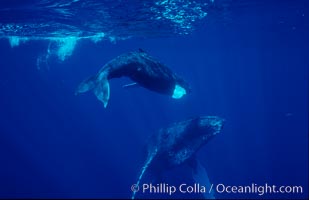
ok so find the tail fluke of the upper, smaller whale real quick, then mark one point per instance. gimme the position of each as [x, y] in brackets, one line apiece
[99, 85]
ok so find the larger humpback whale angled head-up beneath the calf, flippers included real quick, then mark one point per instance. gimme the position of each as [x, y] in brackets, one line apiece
[178, 144]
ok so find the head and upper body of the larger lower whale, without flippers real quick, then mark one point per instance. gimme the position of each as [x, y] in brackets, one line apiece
[180, 141]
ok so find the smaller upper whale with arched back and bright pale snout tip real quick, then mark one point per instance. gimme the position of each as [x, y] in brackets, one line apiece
[140, 67]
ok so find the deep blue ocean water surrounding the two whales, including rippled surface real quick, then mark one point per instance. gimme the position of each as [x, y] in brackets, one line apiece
[247, 62]
